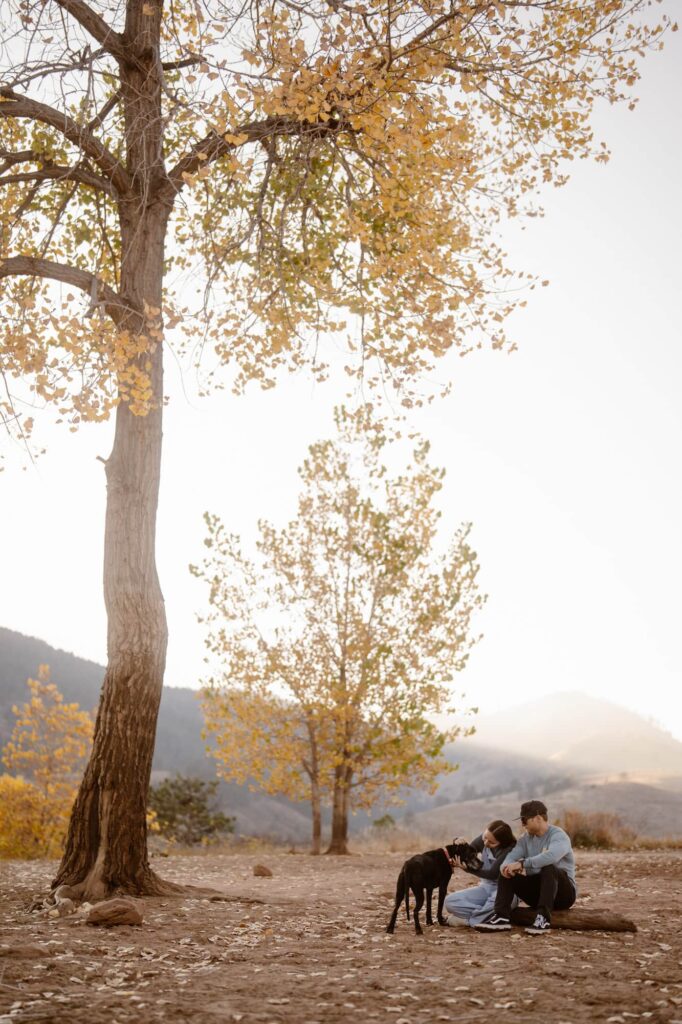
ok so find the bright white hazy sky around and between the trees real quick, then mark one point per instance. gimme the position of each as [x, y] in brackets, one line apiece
[566, 456]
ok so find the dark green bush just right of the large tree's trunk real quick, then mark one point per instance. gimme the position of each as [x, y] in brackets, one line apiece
[183, 812]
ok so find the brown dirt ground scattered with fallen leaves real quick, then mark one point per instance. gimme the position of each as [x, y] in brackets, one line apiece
[310, 946]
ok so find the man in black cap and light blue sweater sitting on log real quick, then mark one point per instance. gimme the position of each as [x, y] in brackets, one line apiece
[540, 870]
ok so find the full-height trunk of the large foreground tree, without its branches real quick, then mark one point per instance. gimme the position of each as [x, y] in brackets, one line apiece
[107, 843]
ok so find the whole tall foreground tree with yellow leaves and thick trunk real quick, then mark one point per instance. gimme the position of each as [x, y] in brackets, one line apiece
[316, 168]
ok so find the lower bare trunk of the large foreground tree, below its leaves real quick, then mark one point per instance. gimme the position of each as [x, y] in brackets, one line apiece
[107, 843]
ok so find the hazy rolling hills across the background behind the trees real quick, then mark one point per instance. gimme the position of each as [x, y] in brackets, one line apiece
[547, 749]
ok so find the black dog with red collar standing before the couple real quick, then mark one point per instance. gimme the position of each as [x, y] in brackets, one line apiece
[430, 871]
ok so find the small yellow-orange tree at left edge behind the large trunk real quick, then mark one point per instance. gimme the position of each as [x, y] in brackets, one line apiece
[48, 751]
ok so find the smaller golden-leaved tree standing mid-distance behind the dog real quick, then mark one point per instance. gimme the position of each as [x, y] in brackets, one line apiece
[349, 625]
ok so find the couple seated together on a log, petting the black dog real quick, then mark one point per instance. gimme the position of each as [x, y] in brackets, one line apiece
[539, 869]
